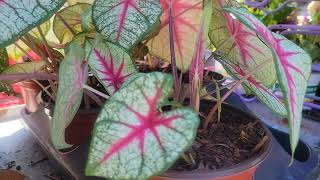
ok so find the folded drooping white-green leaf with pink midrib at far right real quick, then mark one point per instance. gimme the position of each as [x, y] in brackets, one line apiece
[293, 66]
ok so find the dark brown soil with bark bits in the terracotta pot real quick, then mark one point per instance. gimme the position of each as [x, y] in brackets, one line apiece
[234, 139]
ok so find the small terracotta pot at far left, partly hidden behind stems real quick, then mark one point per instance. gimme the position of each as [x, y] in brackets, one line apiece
[30, 91]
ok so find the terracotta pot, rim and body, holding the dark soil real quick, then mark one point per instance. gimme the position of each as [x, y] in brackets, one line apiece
[243, 171]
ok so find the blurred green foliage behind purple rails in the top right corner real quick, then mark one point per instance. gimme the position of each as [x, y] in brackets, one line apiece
[288, 12]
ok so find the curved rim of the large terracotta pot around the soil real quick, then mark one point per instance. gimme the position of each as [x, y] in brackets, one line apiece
[250, 163]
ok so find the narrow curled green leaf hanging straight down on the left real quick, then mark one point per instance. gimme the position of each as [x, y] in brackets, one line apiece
[72, 77]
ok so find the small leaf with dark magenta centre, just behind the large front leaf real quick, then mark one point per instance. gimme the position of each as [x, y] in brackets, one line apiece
[110, 63]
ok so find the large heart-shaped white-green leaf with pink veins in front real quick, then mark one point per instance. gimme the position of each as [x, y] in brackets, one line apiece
[132, 139]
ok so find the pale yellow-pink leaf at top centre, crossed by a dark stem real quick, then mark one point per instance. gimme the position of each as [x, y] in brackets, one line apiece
[187, 16]
